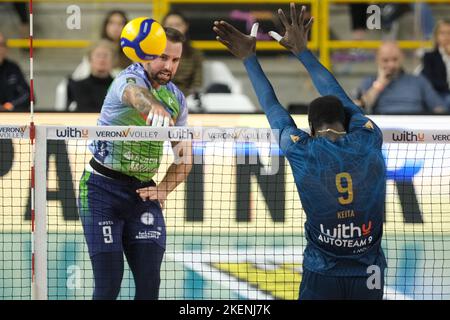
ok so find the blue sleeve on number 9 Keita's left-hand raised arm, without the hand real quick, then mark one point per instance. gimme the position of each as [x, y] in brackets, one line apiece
[278, 117]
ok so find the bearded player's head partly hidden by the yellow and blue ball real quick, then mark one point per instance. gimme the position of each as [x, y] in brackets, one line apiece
[163, 68]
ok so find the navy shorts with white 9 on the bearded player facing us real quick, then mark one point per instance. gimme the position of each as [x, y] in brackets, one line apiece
[113, 214]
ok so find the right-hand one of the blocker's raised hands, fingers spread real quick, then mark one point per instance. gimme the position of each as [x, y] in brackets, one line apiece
[295, 37]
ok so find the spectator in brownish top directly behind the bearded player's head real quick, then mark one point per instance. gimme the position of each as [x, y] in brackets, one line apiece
[189, 77]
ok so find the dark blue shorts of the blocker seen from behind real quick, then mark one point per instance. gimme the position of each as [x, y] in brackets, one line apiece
[315, 286]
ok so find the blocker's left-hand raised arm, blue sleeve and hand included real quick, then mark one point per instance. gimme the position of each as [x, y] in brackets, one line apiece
[244, 47]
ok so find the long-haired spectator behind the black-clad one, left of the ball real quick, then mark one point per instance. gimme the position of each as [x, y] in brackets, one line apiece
[113, 24]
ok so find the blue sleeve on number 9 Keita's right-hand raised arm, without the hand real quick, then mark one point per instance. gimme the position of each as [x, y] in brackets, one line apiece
[325, 82]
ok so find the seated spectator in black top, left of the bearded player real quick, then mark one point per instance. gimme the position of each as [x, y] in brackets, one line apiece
[87, 95]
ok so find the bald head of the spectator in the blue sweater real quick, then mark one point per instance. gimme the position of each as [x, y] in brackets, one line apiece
[390, 58]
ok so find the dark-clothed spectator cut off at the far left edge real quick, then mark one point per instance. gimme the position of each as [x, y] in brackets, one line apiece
[14, 90]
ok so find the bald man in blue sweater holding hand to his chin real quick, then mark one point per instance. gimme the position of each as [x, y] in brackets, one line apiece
[393, 91]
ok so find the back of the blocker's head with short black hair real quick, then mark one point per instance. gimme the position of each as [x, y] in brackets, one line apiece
[326, 113]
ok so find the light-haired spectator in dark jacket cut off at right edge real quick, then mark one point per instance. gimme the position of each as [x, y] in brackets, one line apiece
[436, 64]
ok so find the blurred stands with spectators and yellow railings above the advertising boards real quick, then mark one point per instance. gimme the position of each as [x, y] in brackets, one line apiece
[73, 68]
